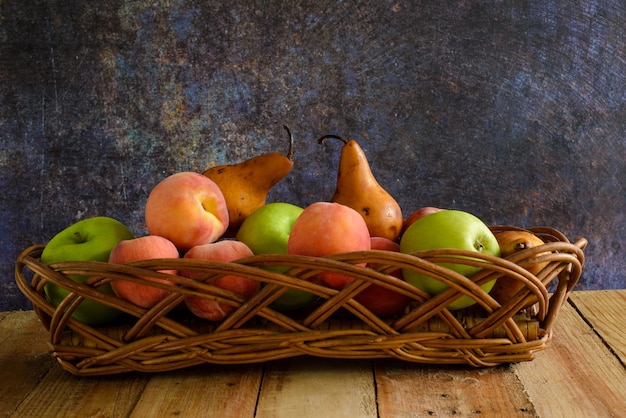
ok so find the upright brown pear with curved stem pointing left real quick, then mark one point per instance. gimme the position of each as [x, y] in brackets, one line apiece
[357, 188]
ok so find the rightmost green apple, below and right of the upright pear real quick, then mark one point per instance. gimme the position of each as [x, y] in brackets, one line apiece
[448, 229]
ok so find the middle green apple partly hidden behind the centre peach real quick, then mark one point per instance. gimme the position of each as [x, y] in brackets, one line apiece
[266, 231]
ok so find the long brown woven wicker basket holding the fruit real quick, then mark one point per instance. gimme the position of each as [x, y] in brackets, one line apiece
[167, 336]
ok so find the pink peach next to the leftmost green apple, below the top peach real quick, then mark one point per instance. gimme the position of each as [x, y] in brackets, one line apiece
[143, 248]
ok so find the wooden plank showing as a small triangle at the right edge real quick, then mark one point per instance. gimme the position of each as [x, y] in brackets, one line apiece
[604, 309]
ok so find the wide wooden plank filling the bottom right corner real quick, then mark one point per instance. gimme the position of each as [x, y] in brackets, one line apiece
[576, 375]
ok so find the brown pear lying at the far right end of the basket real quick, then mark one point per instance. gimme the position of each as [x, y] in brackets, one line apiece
[511, 242]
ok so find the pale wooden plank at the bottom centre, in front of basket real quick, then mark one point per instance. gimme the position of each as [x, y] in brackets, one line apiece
[316, 387]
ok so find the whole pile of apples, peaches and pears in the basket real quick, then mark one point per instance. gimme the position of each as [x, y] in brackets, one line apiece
[223, 215]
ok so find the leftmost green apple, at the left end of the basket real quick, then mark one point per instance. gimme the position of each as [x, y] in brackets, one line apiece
[90, 239]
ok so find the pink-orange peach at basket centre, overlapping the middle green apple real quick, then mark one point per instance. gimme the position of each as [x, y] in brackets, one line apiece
[325, 228]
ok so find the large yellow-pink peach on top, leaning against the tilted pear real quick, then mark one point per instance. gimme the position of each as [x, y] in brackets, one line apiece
[187, 208]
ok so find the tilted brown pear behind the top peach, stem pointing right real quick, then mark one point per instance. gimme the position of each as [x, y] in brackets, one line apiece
[245, 185]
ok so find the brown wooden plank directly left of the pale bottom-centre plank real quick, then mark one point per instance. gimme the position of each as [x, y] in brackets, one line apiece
[207, 391]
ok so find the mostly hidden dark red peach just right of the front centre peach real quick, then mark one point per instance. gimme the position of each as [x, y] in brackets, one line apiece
[380, 300]
